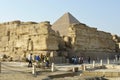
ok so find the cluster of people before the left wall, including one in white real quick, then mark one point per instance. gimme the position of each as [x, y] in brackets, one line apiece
[38, 59]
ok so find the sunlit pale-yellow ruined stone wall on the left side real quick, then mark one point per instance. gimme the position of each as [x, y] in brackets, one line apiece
[18, 37]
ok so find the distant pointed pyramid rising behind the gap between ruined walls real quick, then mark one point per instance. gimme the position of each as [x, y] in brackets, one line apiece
[62, 24]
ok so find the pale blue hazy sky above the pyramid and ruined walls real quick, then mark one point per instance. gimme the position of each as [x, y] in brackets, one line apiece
[102, 14]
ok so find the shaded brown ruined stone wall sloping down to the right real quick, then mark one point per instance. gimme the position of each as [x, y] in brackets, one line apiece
[89, 40]
